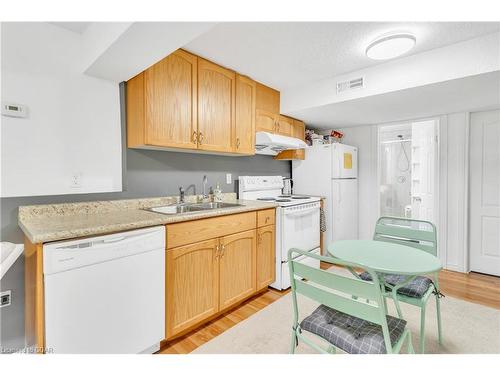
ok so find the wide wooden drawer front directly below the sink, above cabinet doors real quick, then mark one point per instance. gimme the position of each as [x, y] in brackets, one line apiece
[188, 232]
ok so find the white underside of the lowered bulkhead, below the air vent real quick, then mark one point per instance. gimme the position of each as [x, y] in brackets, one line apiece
[473, 93]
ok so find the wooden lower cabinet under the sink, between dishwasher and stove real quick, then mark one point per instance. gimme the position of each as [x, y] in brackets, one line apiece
[206, 278]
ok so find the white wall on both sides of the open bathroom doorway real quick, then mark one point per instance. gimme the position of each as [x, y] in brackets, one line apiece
[452, 223]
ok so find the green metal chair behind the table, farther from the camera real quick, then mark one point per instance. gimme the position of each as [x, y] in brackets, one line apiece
[422, 235]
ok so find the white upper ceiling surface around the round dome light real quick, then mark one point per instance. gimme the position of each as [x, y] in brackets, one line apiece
[289, 54]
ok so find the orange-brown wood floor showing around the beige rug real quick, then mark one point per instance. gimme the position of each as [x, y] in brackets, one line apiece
[472, 287]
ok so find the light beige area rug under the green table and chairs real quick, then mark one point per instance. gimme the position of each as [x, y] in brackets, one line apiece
[467, 328]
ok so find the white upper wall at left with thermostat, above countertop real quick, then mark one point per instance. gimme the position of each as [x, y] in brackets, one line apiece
[73, 125]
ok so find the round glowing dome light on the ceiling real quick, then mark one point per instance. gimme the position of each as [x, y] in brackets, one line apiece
[390, 46]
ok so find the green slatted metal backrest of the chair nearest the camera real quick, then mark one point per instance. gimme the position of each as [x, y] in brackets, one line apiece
[336, 291]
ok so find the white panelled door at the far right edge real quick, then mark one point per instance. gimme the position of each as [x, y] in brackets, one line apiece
[485, 192]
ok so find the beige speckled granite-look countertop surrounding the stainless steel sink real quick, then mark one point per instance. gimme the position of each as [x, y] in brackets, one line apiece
[46, 223]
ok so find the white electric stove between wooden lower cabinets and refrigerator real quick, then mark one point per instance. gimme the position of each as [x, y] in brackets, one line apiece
[297, 221]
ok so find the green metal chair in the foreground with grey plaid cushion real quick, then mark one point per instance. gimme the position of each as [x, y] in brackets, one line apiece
[341, 322]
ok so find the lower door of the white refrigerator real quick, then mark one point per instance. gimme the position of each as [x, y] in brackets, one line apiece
[344, 210]
